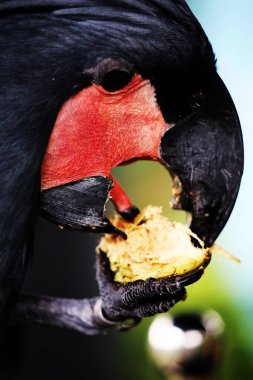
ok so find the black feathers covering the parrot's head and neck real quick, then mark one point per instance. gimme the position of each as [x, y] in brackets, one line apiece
[48, 50]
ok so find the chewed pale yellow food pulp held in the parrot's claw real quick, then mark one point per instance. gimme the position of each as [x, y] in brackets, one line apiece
[155, 247]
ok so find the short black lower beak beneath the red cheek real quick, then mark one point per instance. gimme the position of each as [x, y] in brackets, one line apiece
[79, 205]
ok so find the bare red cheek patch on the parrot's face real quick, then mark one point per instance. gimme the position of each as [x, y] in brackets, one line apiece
[95, 131]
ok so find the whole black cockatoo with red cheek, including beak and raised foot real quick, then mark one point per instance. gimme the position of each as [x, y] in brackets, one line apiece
[86, 85]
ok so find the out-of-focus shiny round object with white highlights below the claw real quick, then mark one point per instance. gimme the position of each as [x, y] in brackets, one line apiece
[188, 346]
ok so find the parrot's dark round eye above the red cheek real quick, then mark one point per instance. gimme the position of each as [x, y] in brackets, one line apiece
[115, 80]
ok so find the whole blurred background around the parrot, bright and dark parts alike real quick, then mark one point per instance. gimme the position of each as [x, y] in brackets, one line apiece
[63, 262]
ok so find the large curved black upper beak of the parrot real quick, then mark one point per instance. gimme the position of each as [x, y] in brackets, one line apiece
[205, 151]
